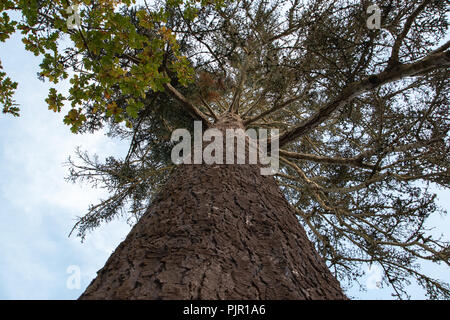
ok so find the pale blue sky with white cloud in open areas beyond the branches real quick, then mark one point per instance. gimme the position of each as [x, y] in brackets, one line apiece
[38, 207]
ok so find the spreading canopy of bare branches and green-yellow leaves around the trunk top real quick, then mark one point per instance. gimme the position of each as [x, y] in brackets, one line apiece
[362, 113]
